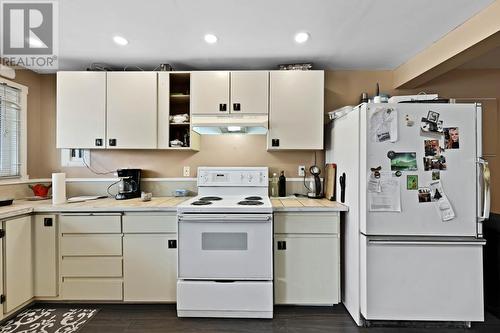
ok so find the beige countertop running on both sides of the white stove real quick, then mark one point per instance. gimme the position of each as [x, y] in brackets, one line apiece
[157, 204]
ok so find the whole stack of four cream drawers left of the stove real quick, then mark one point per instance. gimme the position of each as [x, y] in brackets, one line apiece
[91, 257]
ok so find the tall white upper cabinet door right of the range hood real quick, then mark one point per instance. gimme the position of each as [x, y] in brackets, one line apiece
[296, 110]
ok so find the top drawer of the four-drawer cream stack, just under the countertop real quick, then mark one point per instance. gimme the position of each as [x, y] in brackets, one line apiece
[88, 224]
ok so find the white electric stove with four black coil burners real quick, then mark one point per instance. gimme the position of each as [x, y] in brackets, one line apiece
[225, 251]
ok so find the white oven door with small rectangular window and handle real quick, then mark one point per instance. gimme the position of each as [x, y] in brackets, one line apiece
[225, 246]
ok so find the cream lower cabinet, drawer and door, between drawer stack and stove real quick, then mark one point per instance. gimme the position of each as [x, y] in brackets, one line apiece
[149, 258]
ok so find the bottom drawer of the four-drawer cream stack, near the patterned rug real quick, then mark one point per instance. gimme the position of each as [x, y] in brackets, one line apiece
[92, 289]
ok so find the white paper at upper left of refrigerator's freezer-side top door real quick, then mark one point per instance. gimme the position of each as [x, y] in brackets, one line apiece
[384, 125]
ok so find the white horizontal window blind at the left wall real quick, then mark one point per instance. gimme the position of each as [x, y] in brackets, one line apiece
[10, 131]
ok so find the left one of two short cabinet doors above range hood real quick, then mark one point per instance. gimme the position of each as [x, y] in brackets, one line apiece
[210, 93]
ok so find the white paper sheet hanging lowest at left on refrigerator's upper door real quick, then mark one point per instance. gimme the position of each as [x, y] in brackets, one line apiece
[386, 197]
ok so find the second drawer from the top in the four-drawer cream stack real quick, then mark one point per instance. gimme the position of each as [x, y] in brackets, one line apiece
[91, 245]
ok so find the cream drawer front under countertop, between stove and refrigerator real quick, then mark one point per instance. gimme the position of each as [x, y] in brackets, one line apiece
[306, 223]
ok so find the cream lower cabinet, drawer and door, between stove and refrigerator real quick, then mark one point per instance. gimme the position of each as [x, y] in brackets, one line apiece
[306, 258]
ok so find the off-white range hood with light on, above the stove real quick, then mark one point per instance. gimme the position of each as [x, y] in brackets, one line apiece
[230, 124]
